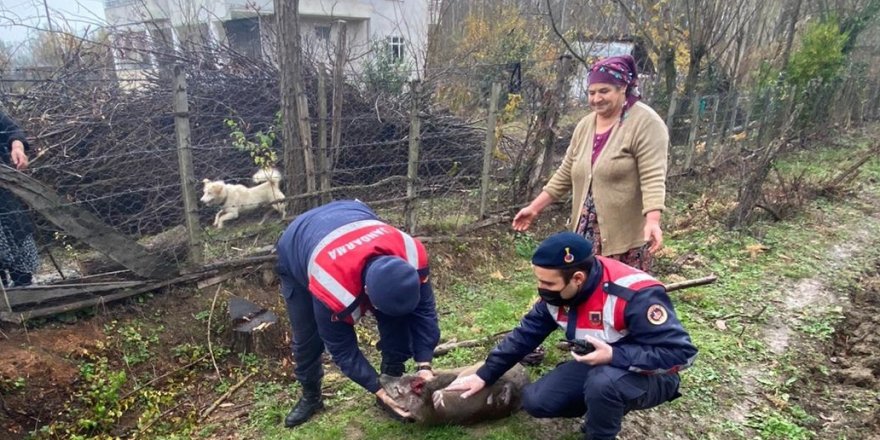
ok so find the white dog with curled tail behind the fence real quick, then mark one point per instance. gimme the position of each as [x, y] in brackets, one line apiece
[238, 199]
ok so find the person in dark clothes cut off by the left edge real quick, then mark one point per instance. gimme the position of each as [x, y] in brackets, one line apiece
[18, 250]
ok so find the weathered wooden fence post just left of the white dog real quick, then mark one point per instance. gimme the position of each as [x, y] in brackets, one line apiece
[184, 158]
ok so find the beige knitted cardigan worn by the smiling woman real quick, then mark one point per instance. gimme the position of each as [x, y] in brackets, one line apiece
[629, 178]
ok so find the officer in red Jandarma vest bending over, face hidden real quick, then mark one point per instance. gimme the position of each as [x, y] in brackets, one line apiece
[336, 263]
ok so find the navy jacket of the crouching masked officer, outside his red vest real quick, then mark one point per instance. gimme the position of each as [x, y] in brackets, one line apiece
[647, 349]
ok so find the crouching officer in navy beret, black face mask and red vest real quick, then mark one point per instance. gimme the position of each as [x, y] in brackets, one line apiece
[623, 313]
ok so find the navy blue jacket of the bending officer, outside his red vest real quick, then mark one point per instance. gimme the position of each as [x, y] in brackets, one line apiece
[294, 248]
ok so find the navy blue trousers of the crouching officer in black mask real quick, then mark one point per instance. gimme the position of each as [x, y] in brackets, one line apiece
[604, 393]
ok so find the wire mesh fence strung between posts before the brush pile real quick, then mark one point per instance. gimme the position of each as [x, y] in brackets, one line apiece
[106, 141]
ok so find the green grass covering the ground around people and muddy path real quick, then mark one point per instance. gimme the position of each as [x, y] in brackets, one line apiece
[485, 287]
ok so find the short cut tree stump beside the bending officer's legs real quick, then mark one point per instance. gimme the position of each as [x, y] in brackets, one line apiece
[254, 329]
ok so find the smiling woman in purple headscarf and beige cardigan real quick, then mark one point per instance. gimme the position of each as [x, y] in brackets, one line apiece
[615, 167]
